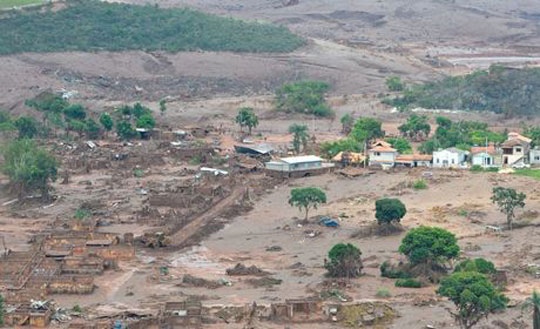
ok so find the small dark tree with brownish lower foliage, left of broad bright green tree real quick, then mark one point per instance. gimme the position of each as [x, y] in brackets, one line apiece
[345, 261]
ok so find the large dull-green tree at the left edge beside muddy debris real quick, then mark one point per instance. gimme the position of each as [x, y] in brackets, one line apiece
[28, 167]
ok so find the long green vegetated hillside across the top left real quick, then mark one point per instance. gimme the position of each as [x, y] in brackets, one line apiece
[93, 25]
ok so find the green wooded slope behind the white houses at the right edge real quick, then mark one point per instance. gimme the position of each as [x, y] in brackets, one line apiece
[501, 90]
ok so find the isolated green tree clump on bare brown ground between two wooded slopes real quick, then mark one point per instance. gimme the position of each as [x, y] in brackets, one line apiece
[303, 97]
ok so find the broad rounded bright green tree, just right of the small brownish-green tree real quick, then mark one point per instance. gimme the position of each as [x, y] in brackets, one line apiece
[429, 245]
